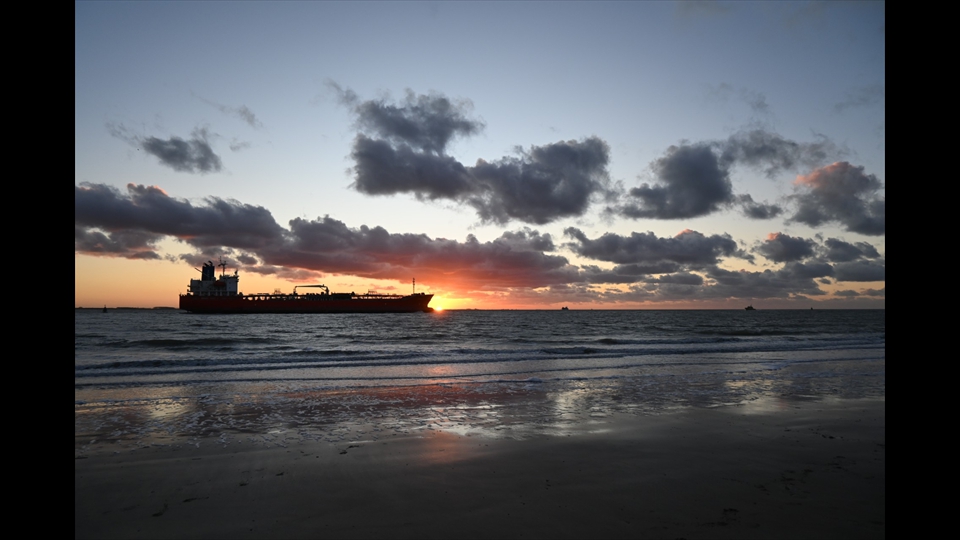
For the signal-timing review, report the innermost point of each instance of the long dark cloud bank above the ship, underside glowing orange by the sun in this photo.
(250, 235)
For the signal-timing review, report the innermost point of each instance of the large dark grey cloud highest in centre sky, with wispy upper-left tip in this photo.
(402, 149)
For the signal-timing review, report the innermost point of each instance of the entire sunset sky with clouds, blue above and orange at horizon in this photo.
(505, 155)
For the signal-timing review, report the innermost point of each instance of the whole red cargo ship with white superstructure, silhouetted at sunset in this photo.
(212, 294)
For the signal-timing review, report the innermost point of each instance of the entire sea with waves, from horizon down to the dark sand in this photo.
(147, 377)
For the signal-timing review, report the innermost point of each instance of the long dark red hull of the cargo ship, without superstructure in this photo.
(304, 304)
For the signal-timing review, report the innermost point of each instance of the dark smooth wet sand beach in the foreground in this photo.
(800, 470)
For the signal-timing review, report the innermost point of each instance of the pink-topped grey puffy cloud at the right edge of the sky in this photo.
(842, 193)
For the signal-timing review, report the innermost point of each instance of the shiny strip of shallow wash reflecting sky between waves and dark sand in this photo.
(258, 413)
